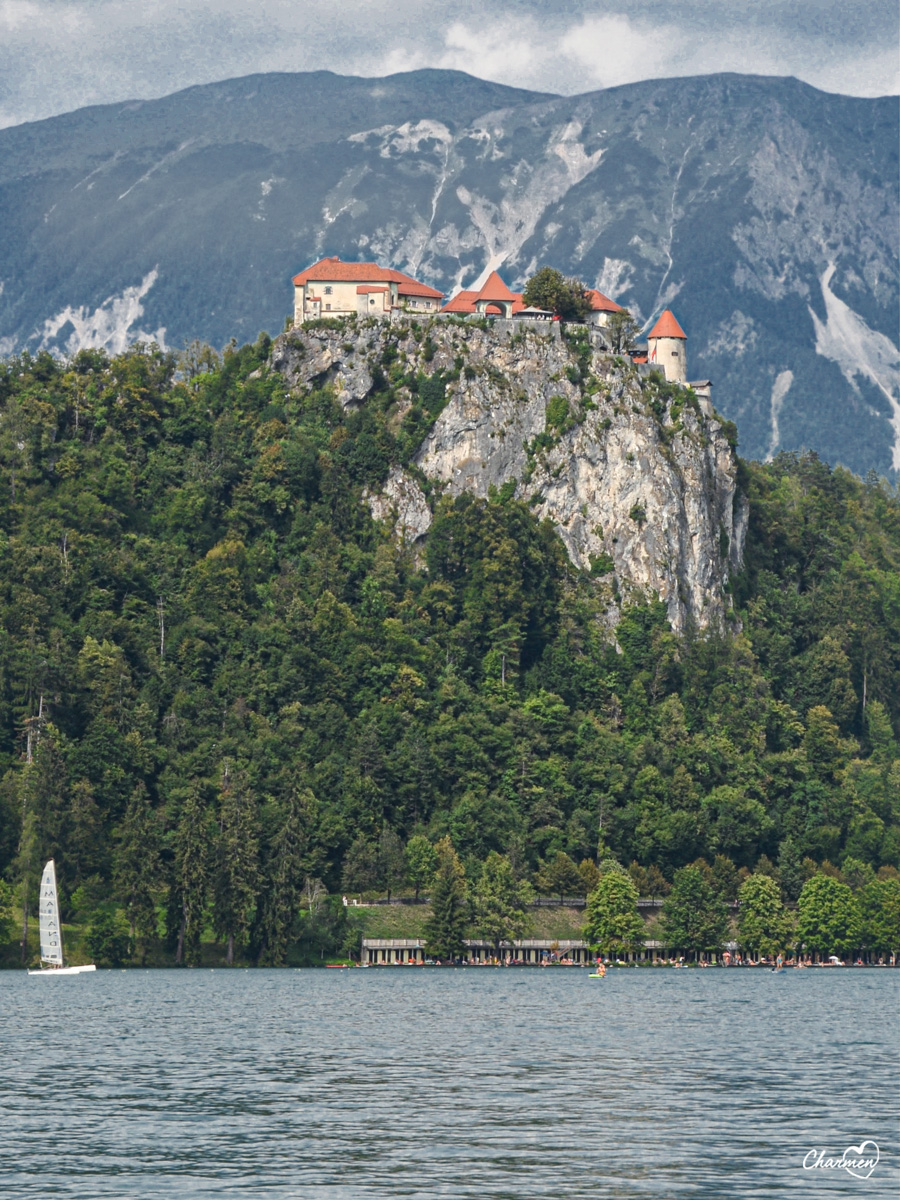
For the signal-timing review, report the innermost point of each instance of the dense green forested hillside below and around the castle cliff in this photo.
(223, 682)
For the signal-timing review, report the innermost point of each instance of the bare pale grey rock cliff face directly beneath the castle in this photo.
(639, 478)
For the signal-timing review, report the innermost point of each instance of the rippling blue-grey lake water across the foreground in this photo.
(440, 1083)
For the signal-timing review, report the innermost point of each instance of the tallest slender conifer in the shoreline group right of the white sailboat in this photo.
(237, 885)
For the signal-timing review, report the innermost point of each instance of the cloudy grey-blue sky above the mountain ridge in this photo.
(62, 55)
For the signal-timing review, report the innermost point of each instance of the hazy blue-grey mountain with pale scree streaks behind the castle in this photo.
(764, 211)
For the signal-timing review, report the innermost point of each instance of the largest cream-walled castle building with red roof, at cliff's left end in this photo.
(340, 290)
